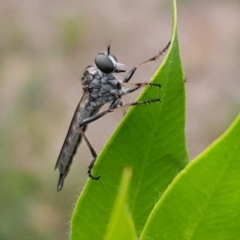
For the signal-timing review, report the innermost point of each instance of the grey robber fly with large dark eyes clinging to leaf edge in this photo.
(100, 85)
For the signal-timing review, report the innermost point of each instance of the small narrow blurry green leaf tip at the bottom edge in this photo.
(121, 224)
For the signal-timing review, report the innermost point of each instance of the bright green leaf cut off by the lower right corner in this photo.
(203, 202)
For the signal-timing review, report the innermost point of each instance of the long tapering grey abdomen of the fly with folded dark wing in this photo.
(71, 143)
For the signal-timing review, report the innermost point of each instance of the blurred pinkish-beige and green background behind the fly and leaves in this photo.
(44, 47)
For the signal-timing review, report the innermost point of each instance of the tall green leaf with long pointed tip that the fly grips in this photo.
(151, 141)
